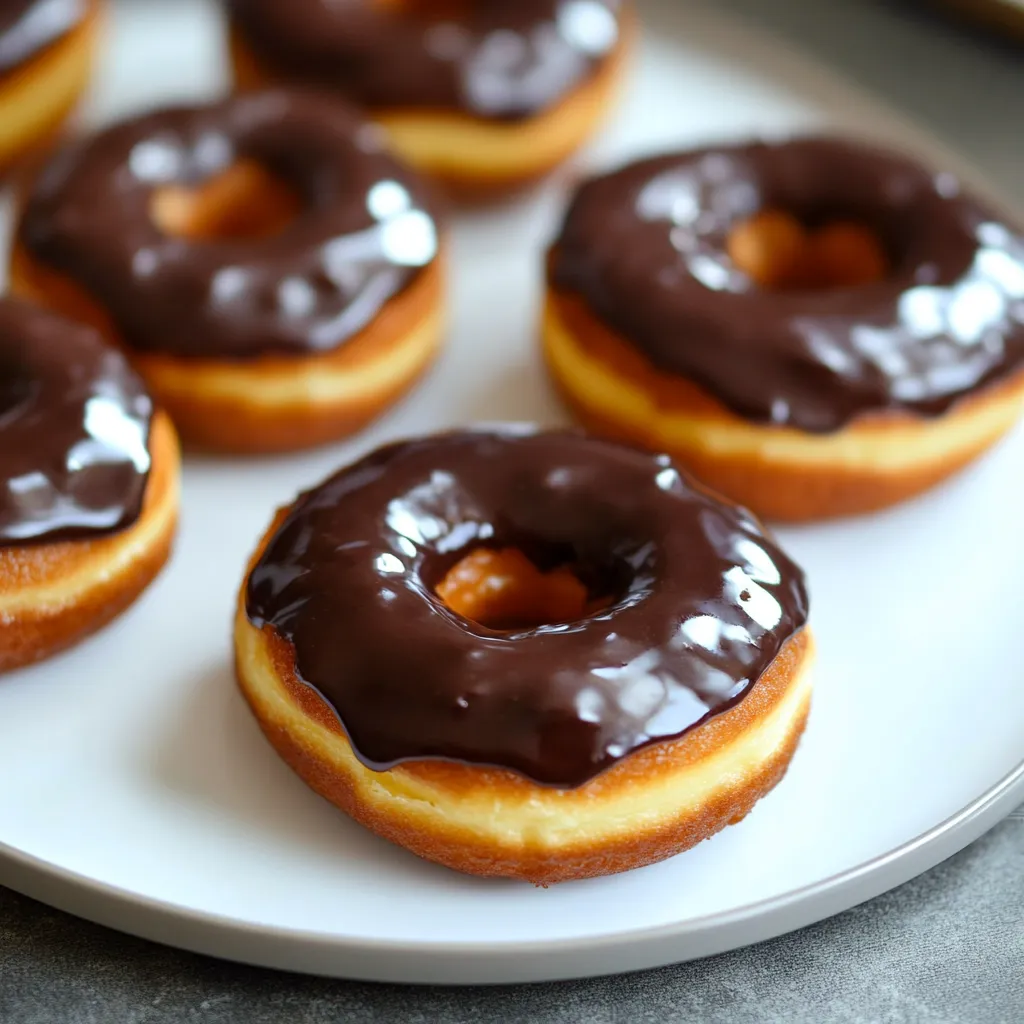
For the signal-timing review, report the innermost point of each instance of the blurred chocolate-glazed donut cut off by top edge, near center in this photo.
(486, 96)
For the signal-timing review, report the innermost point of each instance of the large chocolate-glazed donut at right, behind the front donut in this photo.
(815, 328)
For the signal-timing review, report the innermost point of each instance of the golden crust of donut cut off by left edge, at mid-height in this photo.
(55, 594)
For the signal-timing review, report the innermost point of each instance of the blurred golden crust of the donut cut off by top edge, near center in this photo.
(474, 158)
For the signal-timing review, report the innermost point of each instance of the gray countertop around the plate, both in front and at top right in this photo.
(947, 948)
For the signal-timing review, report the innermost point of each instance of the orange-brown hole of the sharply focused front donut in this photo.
(504, 589)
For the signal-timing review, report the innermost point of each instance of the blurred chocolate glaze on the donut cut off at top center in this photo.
(500, 59)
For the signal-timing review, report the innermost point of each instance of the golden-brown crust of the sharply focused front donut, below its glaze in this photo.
(657, 802)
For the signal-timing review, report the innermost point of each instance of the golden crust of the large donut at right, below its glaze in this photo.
(784, 475)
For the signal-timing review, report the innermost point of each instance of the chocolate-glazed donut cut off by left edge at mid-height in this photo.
(89, 485)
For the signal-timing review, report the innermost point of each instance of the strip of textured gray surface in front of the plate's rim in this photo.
(947, 948)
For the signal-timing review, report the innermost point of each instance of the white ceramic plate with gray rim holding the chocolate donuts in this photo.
(139, 791)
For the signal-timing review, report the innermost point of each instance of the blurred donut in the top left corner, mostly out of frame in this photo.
(47, 56)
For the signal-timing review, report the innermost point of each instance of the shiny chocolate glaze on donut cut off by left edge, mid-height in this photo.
(74, 432)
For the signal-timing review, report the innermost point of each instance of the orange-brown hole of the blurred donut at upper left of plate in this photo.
(245, 202)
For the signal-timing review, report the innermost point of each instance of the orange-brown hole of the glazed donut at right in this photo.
(782, 253)
